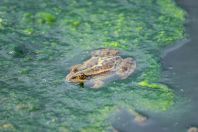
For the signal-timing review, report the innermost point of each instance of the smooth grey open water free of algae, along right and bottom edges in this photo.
(180, 72)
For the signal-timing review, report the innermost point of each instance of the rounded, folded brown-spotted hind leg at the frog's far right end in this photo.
(126, 68)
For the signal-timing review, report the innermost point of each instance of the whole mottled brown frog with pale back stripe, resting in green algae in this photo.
(104, 65)
